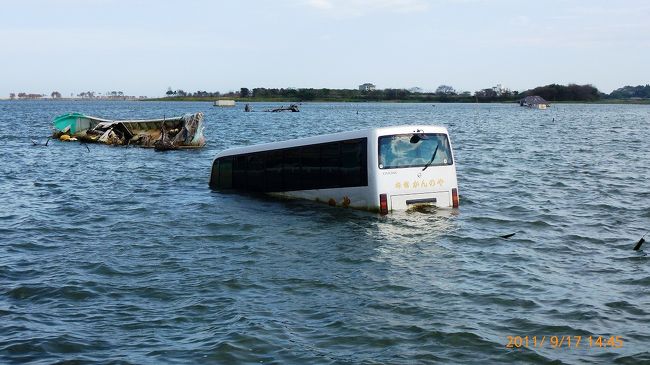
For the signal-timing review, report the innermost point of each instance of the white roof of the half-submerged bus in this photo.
(324, 138)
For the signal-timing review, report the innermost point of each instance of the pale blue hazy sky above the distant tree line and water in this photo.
(143, 47)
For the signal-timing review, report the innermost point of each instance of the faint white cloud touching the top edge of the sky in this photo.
(355, 8)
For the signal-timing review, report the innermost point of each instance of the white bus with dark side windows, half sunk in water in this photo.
(379, 169)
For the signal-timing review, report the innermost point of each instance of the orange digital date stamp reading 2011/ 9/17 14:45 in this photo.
(567, 342)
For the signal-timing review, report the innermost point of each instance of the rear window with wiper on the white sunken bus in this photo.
(414, 150)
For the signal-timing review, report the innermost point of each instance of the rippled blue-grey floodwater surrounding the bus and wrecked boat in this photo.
(125, 254)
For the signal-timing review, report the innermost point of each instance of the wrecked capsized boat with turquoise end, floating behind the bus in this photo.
(163, 134)
